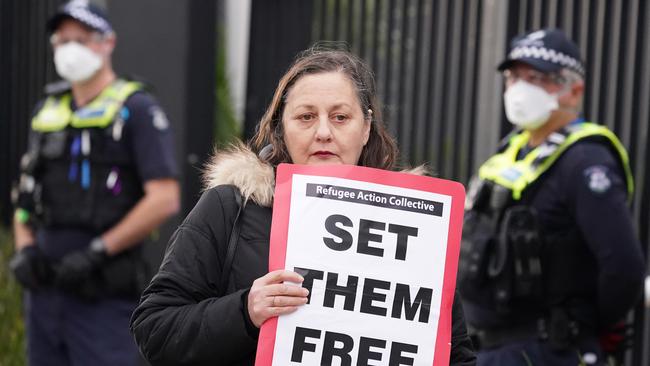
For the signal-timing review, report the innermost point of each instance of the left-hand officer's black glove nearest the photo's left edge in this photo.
(31, 268)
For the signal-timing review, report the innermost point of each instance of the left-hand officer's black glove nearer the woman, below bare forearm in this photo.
(77, 268)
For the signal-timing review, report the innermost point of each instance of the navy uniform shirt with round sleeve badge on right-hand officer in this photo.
(583, 198)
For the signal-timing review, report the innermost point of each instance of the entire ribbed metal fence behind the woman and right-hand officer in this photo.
(435, 64)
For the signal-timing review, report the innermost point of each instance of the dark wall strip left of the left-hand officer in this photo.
(25, 67)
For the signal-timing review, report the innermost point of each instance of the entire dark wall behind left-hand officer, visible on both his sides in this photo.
(169, 44)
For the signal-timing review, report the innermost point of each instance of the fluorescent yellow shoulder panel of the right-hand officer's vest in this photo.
(504, 169)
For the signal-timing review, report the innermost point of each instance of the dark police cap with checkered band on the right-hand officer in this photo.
(547, 50)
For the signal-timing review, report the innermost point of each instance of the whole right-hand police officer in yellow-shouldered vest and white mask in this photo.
(549, 258)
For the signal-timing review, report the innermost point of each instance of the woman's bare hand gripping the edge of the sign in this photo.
(269, 296)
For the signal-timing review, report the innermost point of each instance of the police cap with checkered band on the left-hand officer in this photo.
(80, 10)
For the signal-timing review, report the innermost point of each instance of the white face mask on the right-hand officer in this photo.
(527, 105)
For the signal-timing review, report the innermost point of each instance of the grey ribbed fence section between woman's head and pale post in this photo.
(425, 55)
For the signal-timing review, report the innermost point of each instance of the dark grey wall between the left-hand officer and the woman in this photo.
(171, 44)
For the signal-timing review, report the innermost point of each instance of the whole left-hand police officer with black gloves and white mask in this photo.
(98, 178)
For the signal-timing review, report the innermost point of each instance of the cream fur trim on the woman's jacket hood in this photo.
(239, 166)
